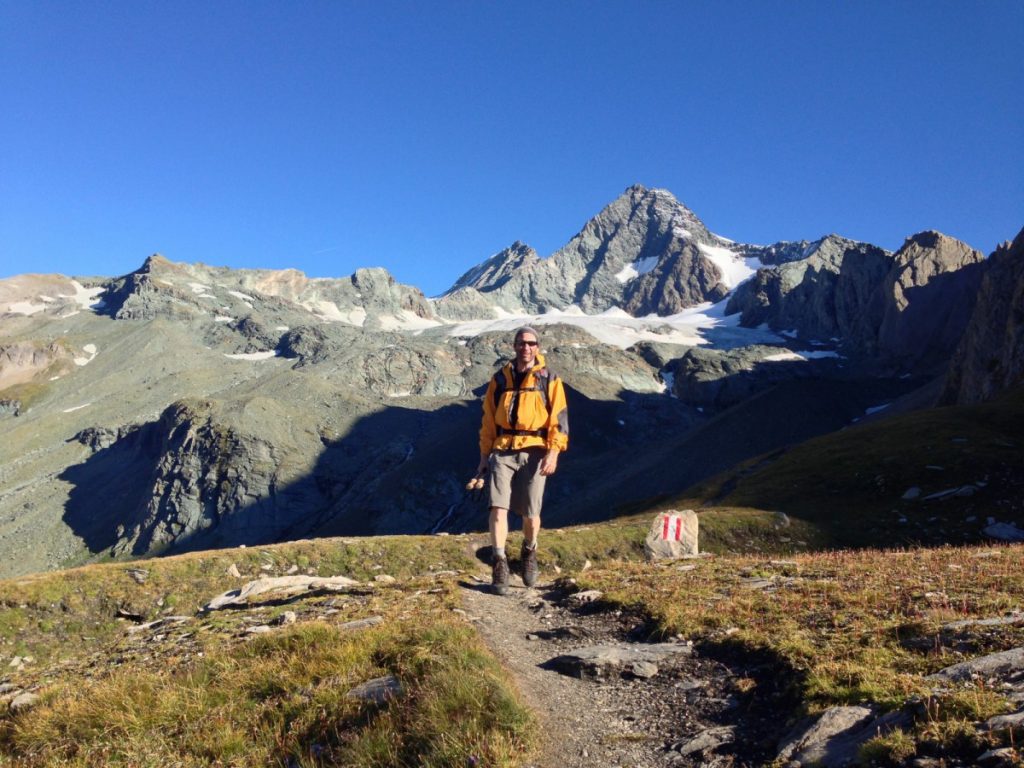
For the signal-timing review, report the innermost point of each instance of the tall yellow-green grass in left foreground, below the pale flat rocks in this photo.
(281, 700)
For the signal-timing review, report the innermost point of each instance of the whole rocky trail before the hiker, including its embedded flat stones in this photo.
(605, 696)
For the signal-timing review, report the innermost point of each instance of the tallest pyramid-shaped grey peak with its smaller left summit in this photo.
(643, 253)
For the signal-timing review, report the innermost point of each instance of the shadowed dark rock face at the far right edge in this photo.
(991, 357)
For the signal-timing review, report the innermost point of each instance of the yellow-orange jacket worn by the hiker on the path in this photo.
(542, 418)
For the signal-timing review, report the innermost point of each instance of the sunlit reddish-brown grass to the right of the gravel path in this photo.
(847, 628)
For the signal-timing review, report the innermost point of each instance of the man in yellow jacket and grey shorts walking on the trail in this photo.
(525, 428)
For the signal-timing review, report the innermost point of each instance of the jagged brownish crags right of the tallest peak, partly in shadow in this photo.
(906, 311)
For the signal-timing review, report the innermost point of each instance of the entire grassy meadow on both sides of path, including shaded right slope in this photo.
(820, 577)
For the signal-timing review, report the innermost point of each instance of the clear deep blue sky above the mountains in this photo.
(425, 137)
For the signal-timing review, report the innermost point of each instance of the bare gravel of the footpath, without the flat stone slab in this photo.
(616, 721)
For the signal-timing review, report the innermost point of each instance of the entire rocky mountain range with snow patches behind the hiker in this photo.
(241, 406)
